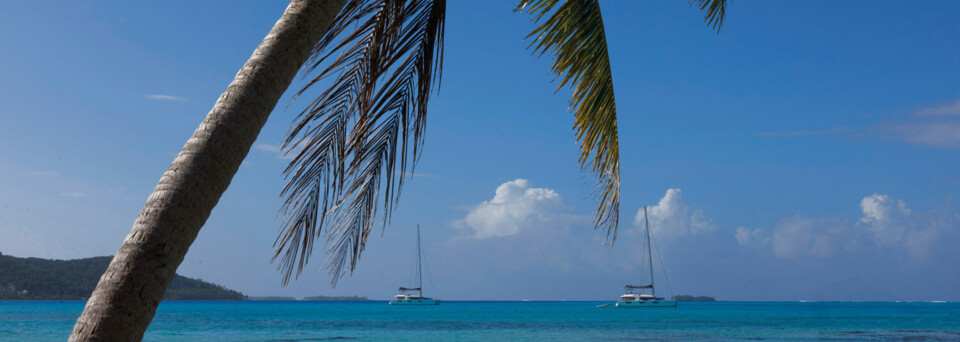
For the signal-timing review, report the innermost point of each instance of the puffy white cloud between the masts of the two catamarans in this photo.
(514, 206)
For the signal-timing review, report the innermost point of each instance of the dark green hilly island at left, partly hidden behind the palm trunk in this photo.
(44, 279)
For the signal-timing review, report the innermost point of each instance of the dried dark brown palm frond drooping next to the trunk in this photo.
(384, 59)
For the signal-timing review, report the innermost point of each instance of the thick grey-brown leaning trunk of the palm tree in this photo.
(126, 298)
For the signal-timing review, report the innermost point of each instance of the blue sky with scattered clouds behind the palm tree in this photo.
(809, 151)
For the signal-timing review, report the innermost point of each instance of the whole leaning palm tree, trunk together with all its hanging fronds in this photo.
(386, 57)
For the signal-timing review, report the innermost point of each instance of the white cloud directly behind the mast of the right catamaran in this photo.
(673, 218)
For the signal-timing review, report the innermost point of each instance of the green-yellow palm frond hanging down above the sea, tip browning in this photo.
(574, 34)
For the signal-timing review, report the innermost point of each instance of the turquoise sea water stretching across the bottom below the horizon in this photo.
(506, 321)
